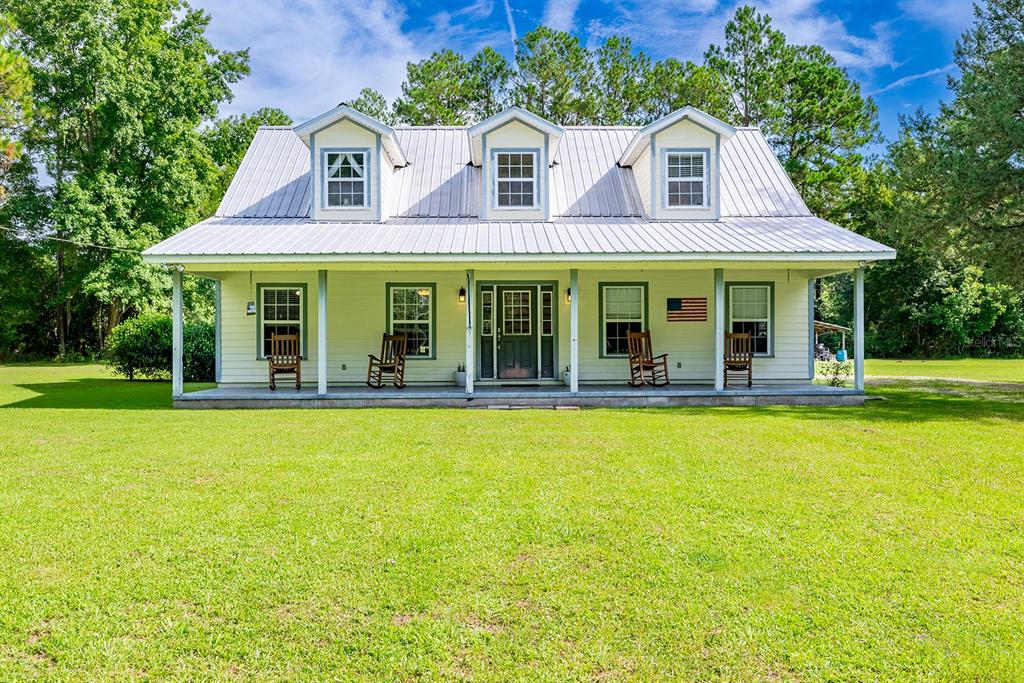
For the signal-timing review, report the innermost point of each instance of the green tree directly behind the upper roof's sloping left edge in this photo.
(227, 141)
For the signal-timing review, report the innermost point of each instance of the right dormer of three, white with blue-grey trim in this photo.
(676, 163)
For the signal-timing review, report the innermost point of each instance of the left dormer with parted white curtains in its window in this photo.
(353, 159)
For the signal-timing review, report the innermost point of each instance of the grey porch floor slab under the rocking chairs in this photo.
(539, 396)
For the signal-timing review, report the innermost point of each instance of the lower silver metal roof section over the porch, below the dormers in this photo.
(572, 238)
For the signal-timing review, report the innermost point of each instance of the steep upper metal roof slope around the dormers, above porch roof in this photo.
(440, 181)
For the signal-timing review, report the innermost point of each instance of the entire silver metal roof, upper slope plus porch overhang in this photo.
(596, 209)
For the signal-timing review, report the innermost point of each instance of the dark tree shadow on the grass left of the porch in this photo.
(101, 395)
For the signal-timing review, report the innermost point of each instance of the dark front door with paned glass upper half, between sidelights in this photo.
(517, 333)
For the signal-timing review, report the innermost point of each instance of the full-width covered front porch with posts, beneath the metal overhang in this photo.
(562, 328)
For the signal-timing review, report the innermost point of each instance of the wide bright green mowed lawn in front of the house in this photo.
(876, 543)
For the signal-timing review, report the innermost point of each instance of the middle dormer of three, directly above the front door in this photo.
(515, 150)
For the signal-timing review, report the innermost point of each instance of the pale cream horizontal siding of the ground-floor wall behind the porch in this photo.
(358, 310)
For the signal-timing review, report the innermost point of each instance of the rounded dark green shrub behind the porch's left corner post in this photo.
(143, 347)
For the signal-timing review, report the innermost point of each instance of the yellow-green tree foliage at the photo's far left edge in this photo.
(16, 102)
